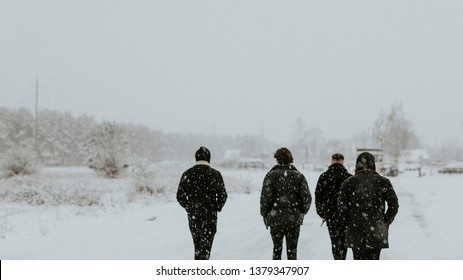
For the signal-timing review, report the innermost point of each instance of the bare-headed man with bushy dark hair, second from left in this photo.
(284, 200)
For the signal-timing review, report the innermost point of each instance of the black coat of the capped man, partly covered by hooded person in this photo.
(327, 190)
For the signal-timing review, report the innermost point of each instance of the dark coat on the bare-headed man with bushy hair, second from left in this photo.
(285, 196)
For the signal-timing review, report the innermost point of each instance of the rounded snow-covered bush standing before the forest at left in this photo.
(107, 149)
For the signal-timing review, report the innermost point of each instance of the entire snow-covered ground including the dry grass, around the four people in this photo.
(72, 214)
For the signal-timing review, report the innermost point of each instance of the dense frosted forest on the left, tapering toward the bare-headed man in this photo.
(61, 139)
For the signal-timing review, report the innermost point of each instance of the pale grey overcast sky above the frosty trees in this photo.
(238, 67)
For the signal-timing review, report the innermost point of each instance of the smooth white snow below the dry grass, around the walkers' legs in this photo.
(428, 226)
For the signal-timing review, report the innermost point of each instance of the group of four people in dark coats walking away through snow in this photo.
(358, 209)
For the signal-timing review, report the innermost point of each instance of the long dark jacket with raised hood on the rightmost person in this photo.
(362, 206)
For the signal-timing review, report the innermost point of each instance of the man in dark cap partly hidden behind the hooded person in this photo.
(326, 203)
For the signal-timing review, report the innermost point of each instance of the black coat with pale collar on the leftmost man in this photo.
(201, 192)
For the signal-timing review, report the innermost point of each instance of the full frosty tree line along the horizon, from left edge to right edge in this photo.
(61, 139)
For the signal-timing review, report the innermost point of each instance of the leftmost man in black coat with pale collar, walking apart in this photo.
(202, 193)
